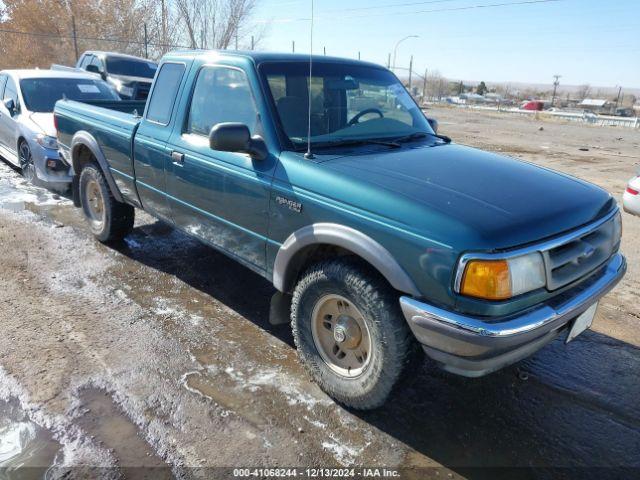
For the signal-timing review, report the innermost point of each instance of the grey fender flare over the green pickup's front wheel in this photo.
(287, 264)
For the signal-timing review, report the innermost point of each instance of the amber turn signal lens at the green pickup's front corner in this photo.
(487, 279)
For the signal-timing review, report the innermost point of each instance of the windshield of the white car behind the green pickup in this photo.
(41, 94)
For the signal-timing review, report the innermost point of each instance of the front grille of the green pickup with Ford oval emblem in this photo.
(581, 255)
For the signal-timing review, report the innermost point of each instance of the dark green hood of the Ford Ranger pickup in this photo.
(483, 199)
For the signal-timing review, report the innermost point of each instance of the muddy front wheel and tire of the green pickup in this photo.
(350, 332)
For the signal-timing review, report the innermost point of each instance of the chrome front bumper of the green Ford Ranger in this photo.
(473, 346)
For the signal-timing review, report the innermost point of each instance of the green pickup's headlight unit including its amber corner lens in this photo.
(502, 279)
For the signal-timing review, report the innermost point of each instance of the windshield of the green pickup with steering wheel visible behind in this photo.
(350, 103)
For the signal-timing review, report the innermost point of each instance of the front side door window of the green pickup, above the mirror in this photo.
(221, 95)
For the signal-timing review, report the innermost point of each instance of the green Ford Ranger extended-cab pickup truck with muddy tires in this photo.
(333, 185)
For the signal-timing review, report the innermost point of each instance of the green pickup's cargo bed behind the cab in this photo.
(113, 125)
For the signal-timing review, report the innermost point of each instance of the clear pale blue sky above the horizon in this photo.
(585, 41)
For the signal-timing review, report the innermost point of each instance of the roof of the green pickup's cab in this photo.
(260, 57)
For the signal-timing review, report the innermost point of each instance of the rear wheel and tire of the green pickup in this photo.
(109, 220)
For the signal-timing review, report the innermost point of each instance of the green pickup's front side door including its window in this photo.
(220, 197)
